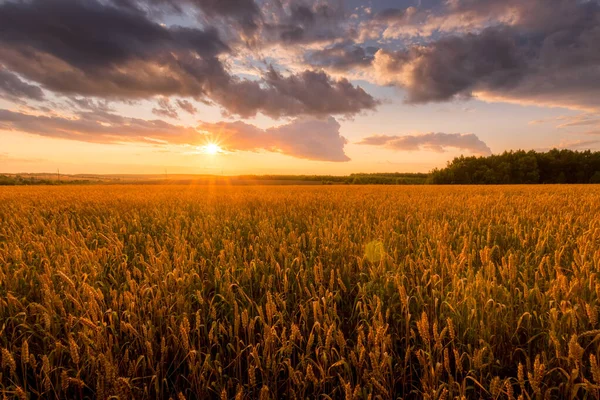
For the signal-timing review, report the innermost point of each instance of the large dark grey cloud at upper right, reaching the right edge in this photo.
(547, 54)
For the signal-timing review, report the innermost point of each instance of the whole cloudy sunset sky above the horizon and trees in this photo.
(292, 86)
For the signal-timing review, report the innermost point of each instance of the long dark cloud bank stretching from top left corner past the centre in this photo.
(74, 53)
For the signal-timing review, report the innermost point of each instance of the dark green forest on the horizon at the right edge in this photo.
(522, 167)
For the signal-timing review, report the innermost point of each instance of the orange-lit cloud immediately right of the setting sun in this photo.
(311, 139)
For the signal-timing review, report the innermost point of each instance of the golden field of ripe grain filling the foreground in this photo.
(185, 292)
